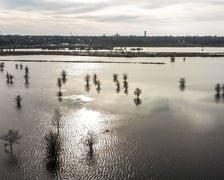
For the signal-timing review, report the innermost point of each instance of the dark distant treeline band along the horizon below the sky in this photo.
(46, 41)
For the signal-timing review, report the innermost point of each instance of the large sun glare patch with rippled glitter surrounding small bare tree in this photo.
(79, 127)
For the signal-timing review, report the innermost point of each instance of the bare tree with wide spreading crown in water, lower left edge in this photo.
(12, 137)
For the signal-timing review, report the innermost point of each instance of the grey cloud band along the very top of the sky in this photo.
(77, 7)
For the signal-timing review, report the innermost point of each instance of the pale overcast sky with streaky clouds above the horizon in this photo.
(126, 17)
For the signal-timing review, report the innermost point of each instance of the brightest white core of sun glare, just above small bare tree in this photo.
(79, 123)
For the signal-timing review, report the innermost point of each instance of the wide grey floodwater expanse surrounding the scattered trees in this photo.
(172, 134)
